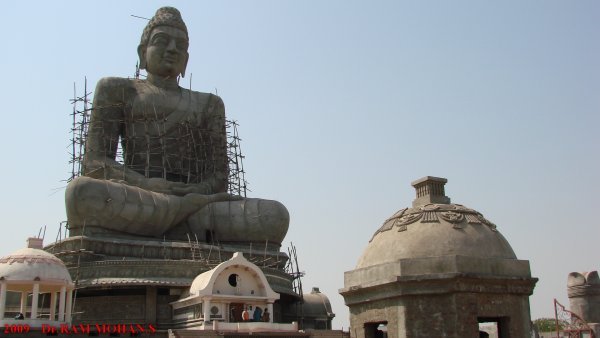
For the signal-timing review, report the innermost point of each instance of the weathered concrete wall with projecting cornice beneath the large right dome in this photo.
(448, 306)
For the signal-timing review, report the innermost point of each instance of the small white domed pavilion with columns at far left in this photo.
(32, 272)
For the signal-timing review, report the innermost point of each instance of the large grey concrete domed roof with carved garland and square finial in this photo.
(434, 227)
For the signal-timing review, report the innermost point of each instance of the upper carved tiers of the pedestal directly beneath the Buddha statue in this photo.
(101, 263)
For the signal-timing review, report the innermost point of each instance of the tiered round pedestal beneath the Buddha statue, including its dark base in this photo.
(132, 281)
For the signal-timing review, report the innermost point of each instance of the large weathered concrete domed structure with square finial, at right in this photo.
(437, 270)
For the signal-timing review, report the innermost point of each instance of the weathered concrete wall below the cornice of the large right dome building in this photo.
(443, 316)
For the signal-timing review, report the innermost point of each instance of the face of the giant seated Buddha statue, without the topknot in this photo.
(166, 53)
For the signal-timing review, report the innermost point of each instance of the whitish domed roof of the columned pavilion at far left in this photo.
(33, 264)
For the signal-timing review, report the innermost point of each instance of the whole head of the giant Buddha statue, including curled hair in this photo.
(163, 47)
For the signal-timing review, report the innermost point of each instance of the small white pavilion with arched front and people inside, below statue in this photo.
(218, 298)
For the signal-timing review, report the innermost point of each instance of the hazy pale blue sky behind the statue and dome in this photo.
(341, 105)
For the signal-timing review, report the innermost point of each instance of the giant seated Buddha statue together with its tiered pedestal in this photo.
(141, 231)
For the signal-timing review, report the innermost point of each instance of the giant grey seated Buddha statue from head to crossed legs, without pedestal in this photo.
(174, 176)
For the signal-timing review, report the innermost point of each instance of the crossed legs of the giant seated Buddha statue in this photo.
(121, 208)
